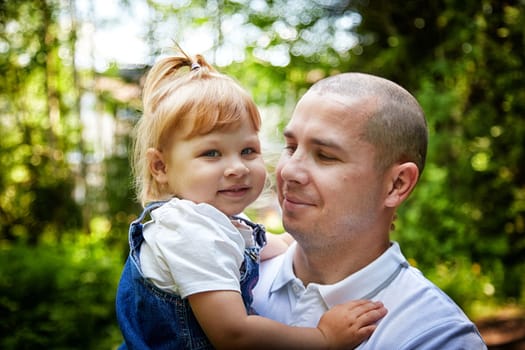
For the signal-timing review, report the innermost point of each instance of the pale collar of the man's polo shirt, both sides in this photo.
(363, 284)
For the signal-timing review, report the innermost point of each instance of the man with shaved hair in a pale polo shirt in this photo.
(355, 148)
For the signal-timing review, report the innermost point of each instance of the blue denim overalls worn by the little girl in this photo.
(151, 318)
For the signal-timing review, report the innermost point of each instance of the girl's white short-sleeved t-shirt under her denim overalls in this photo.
(190, 248)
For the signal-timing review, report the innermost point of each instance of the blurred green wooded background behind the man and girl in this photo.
(70, 75)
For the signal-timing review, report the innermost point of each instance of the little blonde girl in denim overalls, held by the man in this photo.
(188, 279)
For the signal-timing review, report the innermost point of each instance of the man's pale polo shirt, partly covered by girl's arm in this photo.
(420, 315)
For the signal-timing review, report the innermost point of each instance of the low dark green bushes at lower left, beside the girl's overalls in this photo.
(59, 296)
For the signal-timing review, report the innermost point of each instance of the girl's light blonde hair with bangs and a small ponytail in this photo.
(184, 93)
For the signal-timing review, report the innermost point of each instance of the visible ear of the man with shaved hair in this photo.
(402, 180)
